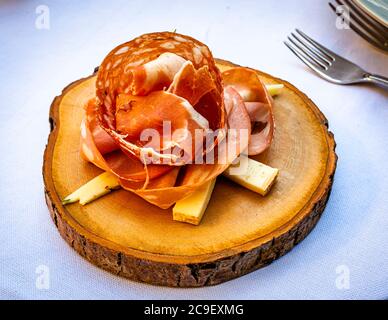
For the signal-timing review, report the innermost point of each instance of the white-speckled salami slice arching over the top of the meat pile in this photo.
(115, 72)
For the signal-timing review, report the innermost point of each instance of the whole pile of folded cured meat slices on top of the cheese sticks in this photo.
(162, 110)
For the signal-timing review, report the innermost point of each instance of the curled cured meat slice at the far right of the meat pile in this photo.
(258, 104)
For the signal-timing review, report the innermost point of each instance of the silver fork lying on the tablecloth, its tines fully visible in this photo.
(328, 64)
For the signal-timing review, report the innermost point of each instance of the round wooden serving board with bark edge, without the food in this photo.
(241, 230)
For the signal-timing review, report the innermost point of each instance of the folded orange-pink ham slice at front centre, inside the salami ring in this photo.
(168, 120)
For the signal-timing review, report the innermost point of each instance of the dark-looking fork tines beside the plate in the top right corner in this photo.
(361, 23)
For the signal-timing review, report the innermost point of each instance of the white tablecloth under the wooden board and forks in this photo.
(346, 255)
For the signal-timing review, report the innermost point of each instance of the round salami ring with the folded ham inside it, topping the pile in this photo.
(144, 67)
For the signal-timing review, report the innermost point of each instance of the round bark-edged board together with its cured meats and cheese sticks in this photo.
(240, 173)
